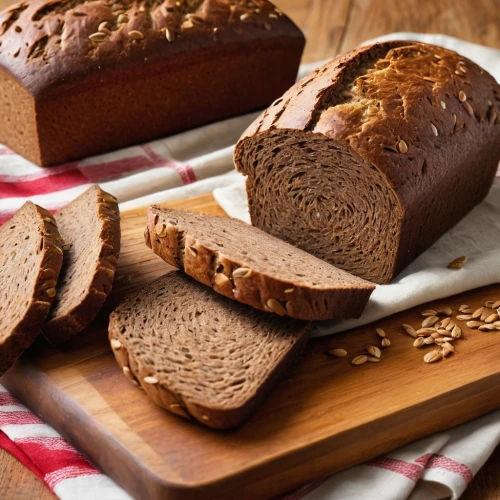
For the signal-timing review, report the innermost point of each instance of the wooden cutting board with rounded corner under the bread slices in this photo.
(325, 416)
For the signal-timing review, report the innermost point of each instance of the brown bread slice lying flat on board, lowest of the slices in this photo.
(199, 354)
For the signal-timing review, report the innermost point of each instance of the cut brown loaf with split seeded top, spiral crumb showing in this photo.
(371, 158)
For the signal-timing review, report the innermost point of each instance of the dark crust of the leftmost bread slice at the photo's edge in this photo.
(25, 332)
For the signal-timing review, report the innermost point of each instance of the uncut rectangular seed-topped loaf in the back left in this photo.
(92, 76)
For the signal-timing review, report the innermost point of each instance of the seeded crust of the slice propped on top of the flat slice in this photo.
(305, 302)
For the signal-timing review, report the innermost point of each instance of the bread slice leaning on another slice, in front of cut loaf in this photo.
(246, 264)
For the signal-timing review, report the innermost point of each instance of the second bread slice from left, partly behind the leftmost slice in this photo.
(90, 228)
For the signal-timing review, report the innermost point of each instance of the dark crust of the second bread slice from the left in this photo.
(61, 328)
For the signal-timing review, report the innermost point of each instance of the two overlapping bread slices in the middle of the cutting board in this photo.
(210, 342)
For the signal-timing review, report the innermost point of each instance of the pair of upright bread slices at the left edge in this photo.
(56, 270)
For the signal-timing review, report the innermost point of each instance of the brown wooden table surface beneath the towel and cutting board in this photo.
(331, 27)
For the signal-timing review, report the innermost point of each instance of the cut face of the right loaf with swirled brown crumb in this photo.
(322, 197)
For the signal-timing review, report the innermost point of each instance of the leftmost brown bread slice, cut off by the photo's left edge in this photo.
(30, 261)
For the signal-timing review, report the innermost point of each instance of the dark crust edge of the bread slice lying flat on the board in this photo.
(175, 403)
